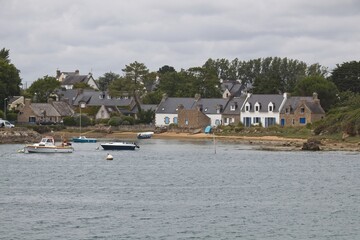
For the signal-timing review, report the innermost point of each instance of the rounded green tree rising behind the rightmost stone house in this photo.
(326, 90)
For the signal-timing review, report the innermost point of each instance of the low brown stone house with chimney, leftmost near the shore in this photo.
(51, 112)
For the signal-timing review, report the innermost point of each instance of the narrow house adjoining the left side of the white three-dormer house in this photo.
(231, 113)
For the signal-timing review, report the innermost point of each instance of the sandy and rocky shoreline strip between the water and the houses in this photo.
(270, 143)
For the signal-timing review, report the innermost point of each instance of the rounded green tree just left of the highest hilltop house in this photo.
(42, 88)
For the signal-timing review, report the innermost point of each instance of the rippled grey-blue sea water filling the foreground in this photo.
(171, 189)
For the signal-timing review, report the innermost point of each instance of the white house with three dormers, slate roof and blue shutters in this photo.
(262, 109)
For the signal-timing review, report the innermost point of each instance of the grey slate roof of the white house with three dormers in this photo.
(264, 100)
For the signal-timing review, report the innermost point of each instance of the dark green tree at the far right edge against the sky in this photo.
(347, 76)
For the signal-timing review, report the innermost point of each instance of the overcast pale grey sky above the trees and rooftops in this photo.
(101, 36)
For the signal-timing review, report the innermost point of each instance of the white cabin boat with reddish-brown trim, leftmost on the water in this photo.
(47, 145)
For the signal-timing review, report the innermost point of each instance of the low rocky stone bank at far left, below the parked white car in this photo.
(18, 135)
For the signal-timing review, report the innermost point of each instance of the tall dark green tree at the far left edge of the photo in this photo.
(10, 80)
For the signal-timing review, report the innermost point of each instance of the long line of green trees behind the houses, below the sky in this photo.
(270, 75)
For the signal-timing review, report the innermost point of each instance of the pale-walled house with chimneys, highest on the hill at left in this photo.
(69, 79)
